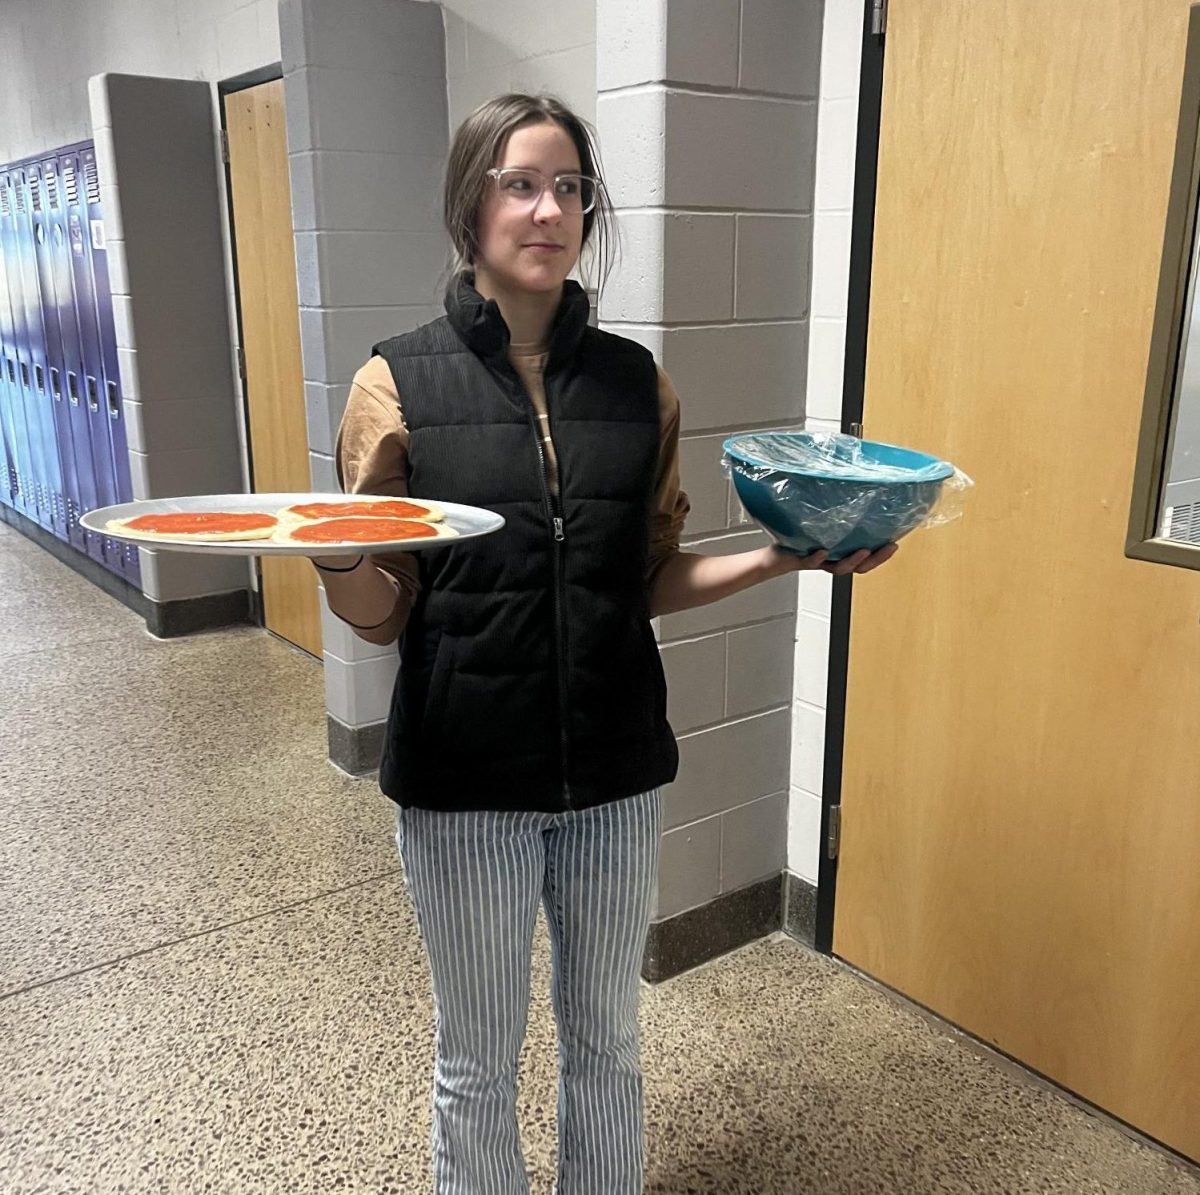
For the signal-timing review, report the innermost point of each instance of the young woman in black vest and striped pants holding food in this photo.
(529, 738)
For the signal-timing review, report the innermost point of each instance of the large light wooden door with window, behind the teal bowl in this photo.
(1022, 789)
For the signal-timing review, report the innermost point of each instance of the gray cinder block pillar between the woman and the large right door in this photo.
(707, 119)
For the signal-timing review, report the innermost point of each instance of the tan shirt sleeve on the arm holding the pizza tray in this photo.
(373, 459)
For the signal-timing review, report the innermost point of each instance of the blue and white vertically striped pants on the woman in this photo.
(476, 880)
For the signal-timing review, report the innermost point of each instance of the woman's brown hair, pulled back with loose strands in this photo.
(477, 148)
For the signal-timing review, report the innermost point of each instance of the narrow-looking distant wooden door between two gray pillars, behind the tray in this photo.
(271, 323)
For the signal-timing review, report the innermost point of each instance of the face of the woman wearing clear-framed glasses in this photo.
(531, 245)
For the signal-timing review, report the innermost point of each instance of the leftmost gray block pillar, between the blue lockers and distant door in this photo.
(163, 217)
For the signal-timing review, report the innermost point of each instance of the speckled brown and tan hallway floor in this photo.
(212, 980)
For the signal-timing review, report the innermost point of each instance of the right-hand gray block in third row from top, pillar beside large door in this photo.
(775, 255)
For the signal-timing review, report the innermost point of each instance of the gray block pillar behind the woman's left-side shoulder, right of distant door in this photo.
(368, 135)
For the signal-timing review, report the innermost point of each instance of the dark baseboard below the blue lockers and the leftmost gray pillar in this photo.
(164, 620)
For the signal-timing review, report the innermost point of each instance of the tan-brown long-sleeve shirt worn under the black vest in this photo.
(373, 458)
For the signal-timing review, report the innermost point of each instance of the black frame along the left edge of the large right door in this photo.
(862, 241)
